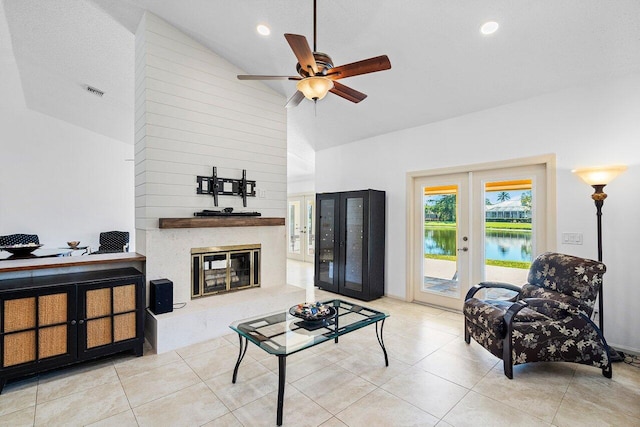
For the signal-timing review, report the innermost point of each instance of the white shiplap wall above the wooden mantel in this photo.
(191, 114)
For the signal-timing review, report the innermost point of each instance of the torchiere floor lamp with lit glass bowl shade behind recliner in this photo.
(598, 178)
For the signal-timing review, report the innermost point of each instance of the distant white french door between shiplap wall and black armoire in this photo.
(301, 228)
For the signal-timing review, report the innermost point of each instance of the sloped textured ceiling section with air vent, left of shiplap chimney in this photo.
(60, 47)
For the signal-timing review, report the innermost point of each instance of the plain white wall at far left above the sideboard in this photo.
(57, 180)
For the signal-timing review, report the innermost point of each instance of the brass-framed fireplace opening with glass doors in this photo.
(222, 269)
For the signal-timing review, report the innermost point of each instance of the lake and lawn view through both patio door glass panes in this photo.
(507, 235)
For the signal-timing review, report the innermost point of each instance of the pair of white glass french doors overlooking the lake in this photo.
(476, 226)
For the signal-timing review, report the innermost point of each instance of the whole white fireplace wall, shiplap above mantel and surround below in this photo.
(192, 114)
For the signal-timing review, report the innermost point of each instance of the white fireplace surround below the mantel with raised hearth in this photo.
(168, 253)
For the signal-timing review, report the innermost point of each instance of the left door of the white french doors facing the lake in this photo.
(443, 214)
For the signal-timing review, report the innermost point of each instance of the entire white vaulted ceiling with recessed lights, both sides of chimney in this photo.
(442, 66)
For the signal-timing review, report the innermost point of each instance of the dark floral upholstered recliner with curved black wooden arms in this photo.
(549, 319)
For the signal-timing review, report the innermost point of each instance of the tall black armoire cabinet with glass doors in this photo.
(350, 228)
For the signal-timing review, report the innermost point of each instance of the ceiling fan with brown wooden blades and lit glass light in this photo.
(317, 75)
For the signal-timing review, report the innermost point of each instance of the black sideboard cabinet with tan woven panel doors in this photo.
(51, 321)
